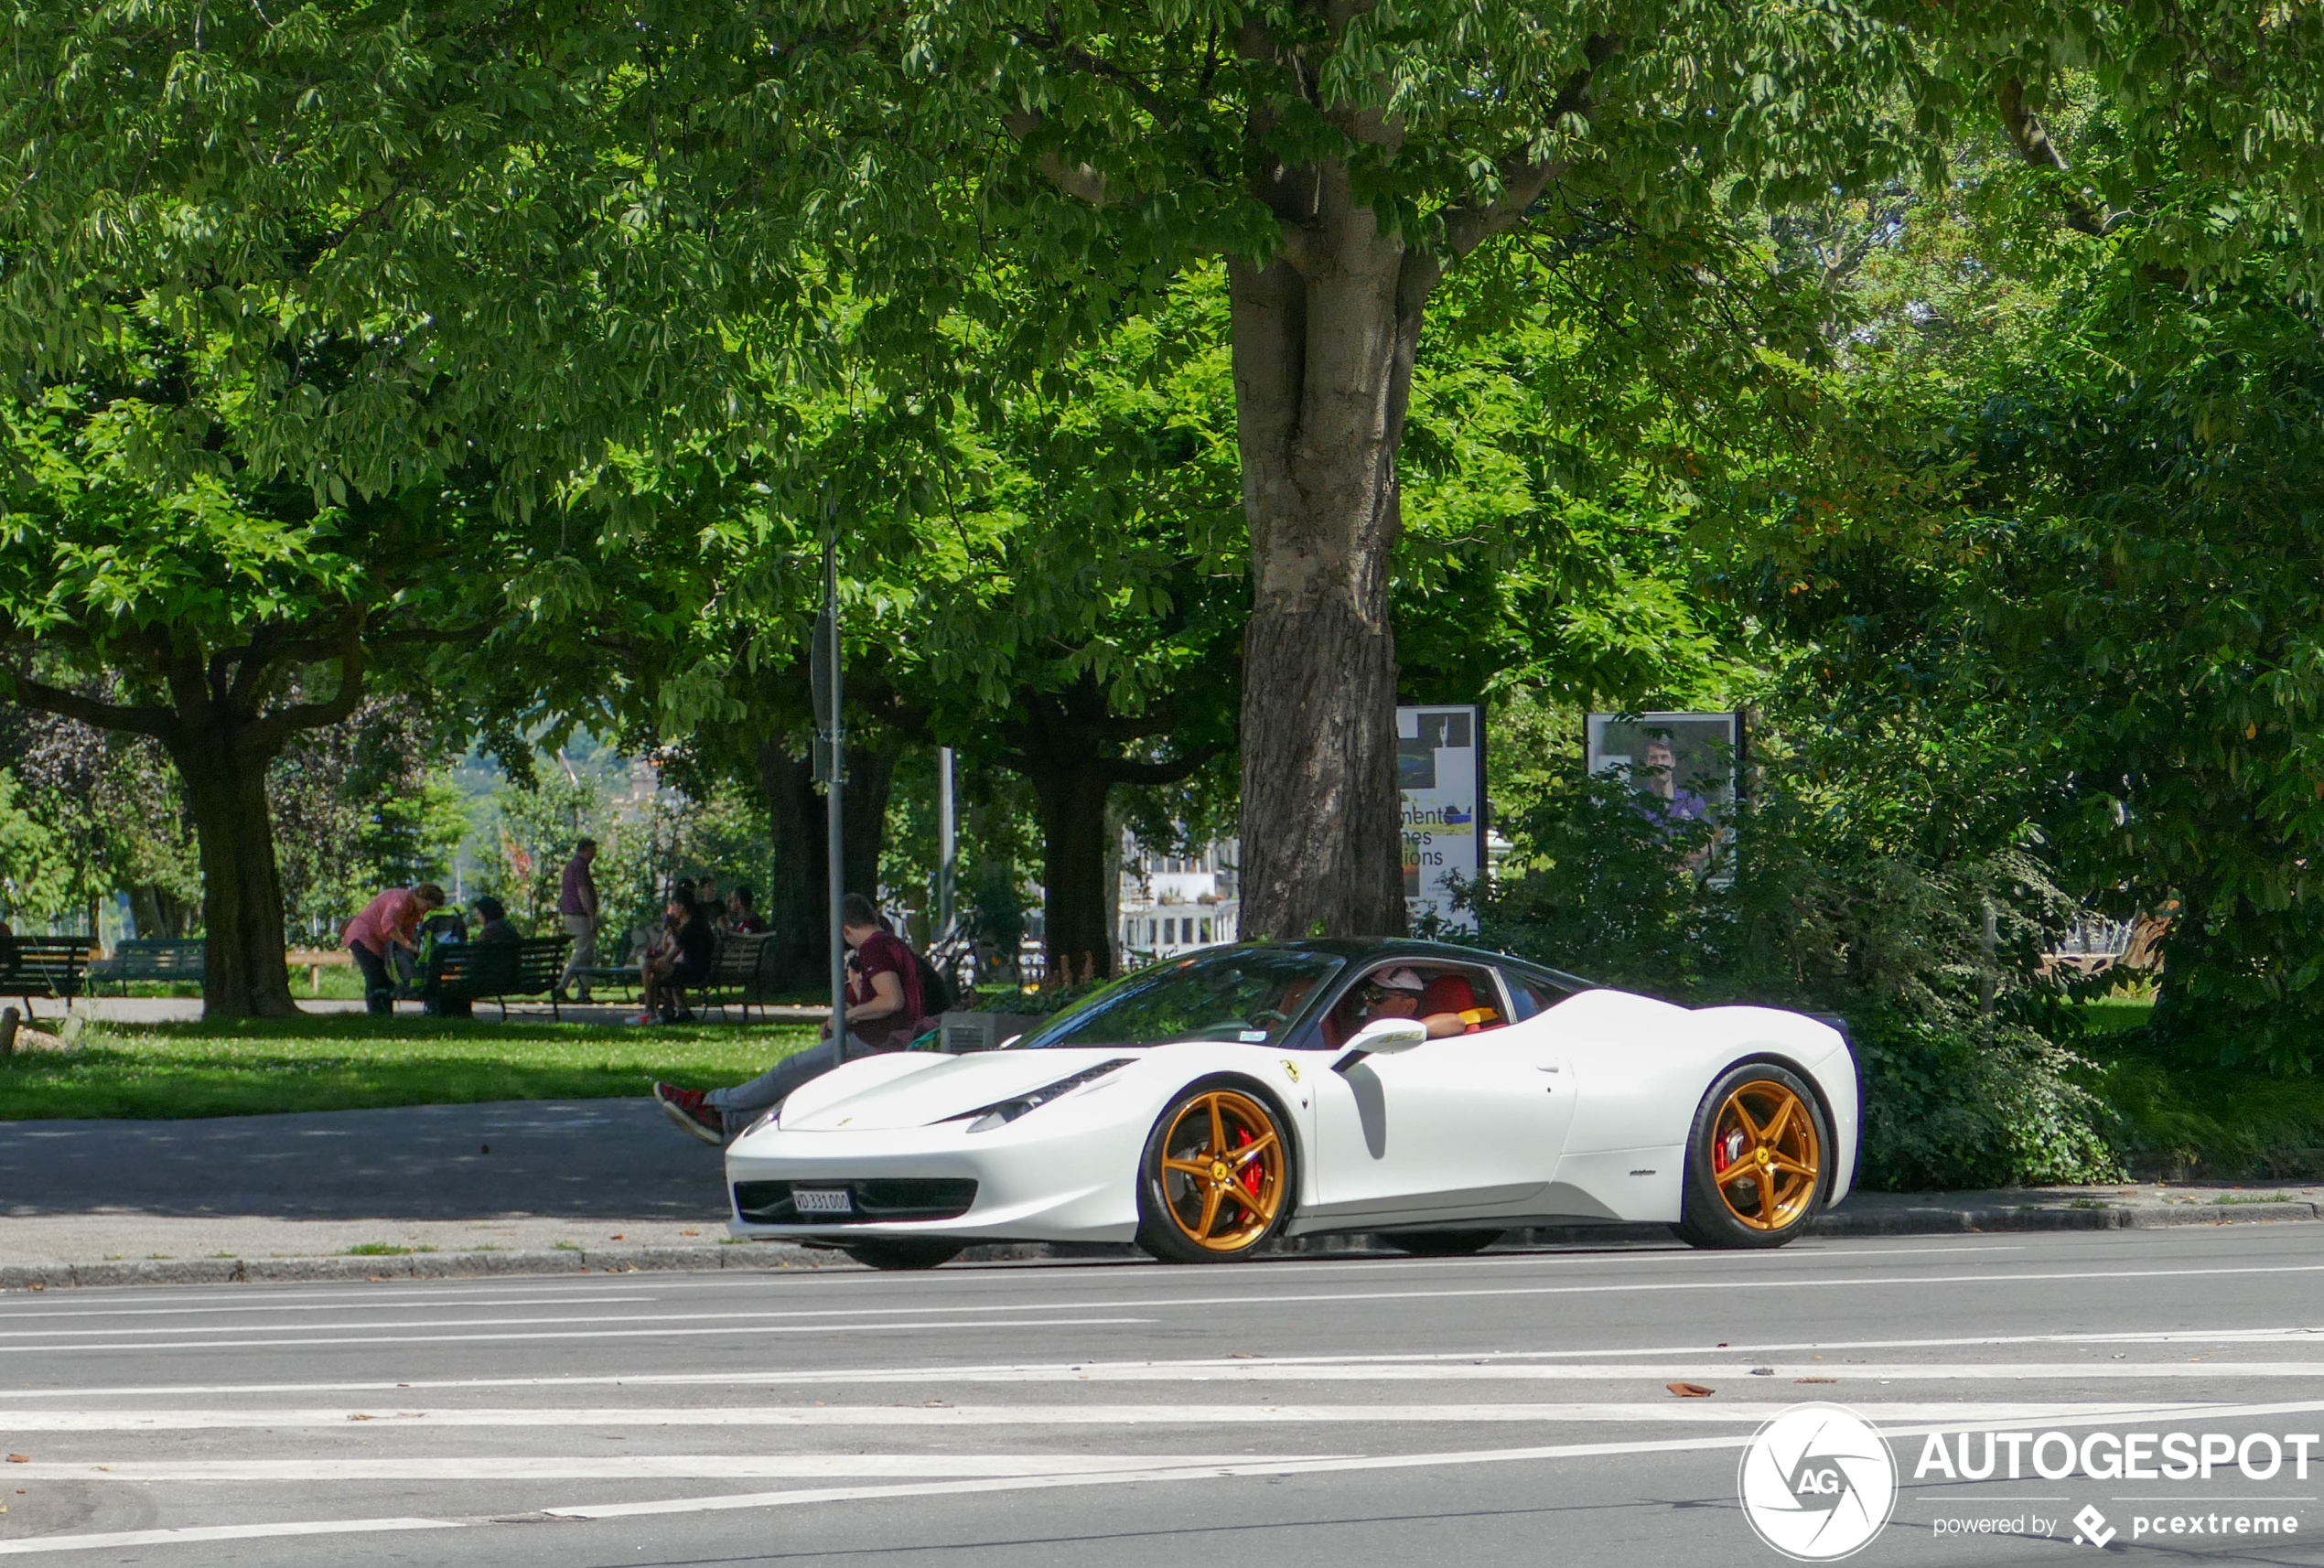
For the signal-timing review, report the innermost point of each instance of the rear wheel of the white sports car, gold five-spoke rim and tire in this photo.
(1726, 1204)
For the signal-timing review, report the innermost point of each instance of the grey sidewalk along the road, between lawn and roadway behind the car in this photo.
(608, 1184)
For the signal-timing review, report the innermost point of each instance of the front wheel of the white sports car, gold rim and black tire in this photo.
(1217, 1177)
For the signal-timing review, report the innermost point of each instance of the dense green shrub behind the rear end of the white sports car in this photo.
(1932, 965)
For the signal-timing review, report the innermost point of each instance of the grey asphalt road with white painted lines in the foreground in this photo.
(1505, 1409)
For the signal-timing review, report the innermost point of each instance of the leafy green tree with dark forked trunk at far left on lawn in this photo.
(222, 621)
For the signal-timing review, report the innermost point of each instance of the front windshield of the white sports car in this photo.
(1247, 995)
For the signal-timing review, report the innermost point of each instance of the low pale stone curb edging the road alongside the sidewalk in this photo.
(775, 1256)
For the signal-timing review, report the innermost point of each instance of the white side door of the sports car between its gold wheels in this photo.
(1463, 1125)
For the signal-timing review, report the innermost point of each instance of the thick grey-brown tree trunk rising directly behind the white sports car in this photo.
(1324, 364)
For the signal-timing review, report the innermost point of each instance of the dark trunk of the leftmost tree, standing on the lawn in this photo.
(245, 972)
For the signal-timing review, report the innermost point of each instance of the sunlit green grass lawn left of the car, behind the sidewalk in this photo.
(354, 1063)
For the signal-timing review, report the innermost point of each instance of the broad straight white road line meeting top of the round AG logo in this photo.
(371, 1423)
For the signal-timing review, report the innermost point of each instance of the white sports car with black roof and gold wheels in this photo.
(1433, 1095)
